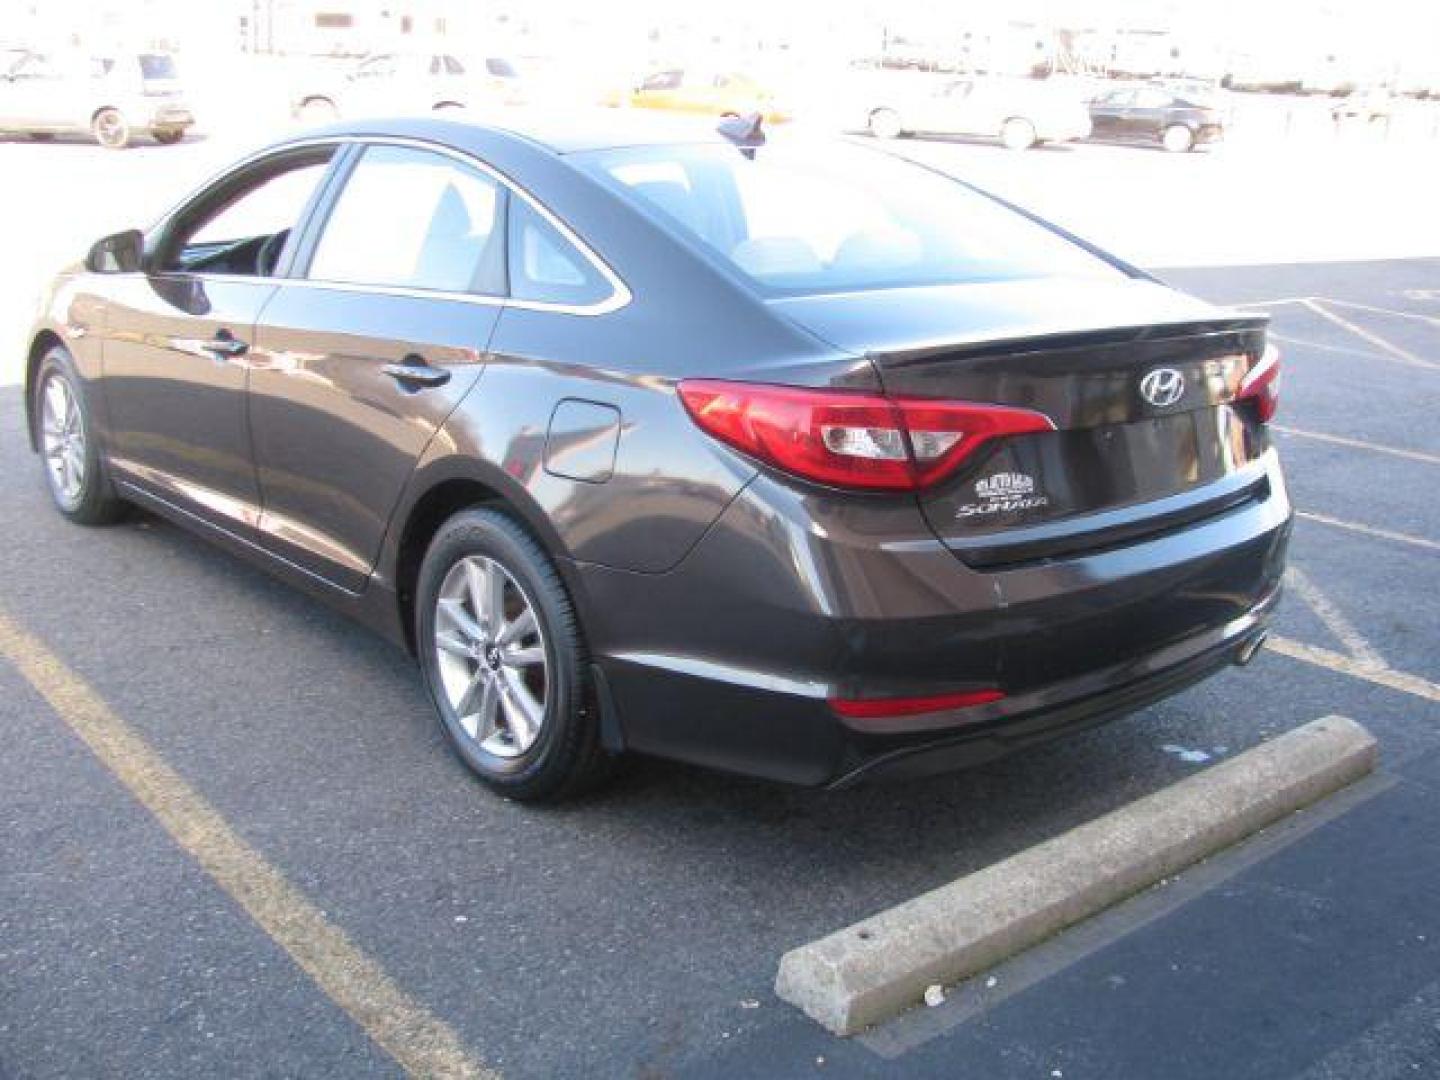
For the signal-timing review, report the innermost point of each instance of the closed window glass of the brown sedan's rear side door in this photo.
(415, 220)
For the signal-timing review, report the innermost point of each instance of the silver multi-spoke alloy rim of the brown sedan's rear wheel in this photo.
(492, 657)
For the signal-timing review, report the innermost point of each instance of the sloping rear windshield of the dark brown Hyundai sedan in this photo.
(832, 218)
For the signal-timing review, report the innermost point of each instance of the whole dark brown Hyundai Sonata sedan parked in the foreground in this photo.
(797, 460)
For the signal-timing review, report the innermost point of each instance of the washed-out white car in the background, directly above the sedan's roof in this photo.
(400, 84)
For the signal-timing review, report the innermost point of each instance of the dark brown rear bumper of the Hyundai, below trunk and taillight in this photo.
(729, 662)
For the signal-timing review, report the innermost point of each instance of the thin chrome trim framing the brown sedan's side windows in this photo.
(620, 292)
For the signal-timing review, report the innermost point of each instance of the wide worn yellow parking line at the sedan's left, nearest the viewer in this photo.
(423, 1045)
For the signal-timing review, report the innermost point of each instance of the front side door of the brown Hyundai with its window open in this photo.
(178, 342)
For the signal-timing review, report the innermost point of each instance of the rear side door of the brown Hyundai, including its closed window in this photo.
(369, 346)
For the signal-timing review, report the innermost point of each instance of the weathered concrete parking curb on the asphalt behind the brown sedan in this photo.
(879, 967)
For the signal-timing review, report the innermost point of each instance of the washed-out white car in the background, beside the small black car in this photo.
(1020, 113)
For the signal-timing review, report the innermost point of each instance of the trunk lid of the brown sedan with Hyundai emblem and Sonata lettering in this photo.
(1140, 384)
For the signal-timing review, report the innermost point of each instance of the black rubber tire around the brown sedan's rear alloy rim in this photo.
(567, 757)
